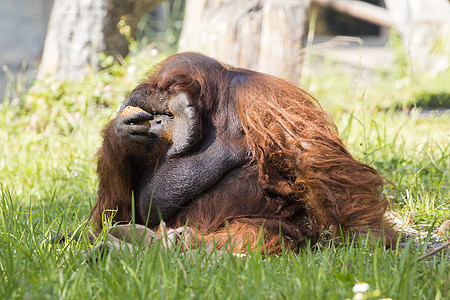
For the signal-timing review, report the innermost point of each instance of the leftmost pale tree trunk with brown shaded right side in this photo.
(80, 29)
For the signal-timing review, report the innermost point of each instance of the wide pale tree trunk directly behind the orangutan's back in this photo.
(261, 35)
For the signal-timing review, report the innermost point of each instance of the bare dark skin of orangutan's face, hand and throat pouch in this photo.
(180, 160)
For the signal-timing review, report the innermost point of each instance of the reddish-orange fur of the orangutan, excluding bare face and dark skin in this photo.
(302, 180)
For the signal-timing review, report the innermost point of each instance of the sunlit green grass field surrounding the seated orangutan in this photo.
(48, 140)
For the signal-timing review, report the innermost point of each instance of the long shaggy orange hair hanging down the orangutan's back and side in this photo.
(299, 153)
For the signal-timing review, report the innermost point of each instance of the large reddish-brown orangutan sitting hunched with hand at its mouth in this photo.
(230, 151)
